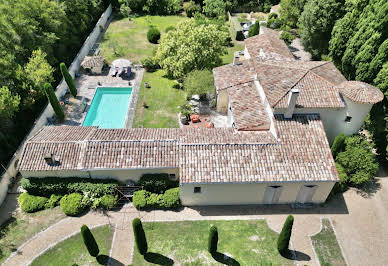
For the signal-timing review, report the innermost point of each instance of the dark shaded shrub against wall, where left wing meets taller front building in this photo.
(156, 183)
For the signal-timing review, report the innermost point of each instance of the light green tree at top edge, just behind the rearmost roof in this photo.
(290, 11)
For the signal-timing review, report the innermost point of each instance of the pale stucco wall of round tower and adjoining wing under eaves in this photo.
(334, 118)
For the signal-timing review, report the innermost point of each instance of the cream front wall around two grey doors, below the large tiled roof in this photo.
(248, 193)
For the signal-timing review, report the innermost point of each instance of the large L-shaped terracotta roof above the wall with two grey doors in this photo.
(302, 154)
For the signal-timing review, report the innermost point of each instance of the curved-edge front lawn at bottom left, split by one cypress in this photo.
(73, 251)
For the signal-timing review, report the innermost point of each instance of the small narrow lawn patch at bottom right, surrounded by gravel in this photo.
(326, 246)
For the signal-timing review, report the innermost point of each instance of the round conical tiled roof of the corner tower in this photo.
(361, 92)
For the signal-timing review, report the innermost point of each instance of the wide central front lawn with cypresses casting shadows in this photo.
(248, 242)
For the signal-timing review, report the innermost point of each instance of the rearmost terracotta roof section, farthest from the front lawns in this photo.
(268, 44)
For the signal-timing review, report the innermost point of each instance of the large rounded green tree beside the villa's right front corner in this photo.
(358, 160)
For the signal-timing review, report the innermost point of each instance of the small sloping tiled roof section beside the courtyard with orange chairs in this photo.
(248, 108)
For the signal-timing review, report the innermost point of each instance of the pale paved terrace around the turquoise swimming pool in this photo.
(87, 84)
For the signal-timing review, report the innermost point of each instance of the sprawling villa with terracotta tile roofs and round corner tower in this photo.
(282, 115)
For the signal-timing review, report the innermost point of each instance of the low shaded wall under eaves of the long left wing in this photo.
(121, 175)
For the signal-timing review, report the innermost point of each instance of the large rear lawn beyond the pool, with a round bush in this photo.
(129, 38)
